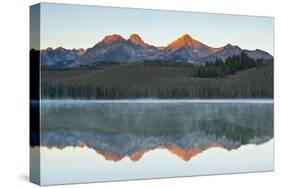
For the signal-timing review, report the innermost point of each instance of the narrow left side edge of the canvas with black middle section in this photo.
(34, 94)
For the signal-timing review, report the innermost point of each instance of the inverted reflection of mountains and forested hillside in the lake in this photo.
(117, 130)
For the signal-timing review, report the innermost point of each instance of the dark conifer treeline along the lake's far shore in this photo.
(59, 90)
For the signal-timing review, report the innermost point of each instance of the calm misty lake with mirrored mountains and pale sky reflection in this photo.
(89, 141)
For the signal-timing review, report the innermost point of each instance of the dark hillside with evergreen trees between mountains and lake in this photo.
(238, 76)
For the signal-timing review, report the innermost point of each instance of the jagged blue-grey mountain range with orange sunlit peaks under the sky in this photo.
(115, 48)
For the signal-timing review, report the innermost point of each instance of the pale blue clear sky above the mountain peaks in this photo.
(79, 26)
